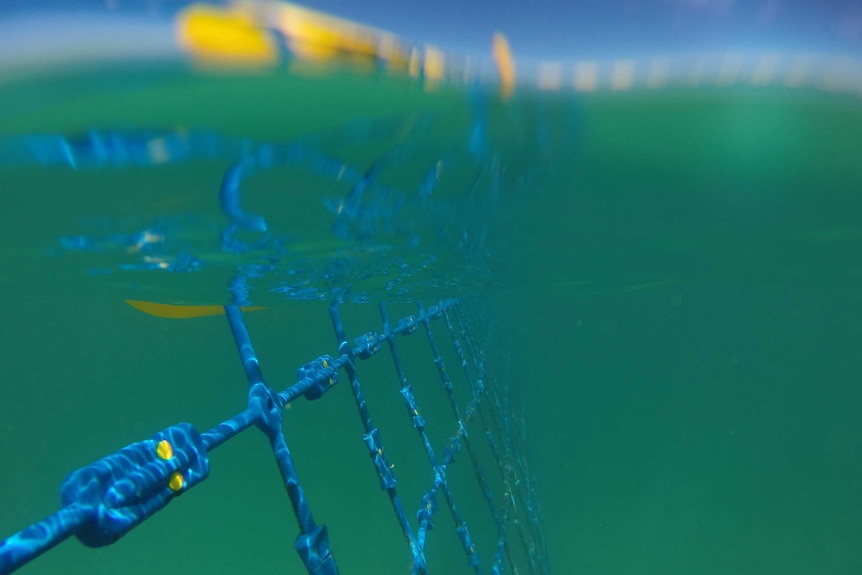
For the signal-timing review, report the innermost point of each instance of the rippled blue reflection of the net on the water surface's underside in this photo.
(415, 214)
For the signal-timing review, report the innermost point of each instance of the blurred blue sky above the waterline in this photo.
(567, 30)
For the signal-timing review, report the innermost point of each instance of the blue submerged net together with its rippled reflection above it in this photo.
(396, 210)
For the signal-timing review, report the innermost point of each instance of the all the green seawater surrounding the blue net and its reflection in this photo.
(674, 275)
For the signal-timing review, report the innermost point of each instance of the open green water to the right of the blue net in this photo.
(689, 332)
